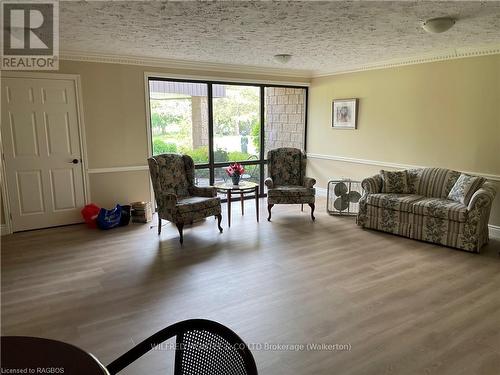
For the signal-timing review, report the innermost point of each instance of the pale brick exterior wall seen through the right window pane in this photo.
(285, 118)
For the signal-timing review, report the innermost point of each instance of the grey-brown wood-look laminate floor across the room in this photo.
(399, 306)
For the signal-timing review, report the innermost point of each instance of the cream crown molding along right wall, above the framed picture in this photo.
(452, 54)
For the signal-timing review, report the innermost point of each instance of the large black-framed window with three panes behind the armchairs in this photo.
(219, 123)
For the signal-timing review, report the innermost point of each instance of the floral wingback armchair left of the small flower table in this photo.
(179, 200)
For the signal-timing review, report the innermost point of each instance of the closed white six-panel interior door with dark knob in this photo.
(42, 153)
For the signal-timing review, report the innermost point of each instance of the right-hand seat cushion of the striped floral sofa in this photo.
(440, 208)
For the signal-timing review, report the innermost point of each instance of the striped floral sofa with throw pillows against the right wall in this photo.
(436, 205)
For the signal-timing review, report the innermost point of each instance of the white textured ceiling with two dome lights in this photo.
(321, 36)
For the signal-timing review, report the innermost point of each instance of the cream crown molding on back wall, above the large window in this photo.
(182, 64)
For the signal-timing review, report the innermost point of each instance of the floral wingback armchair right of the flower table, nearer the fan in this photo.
(287, 183)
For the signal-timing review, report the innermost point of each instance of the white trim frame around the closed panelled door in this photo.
(81, 132)
